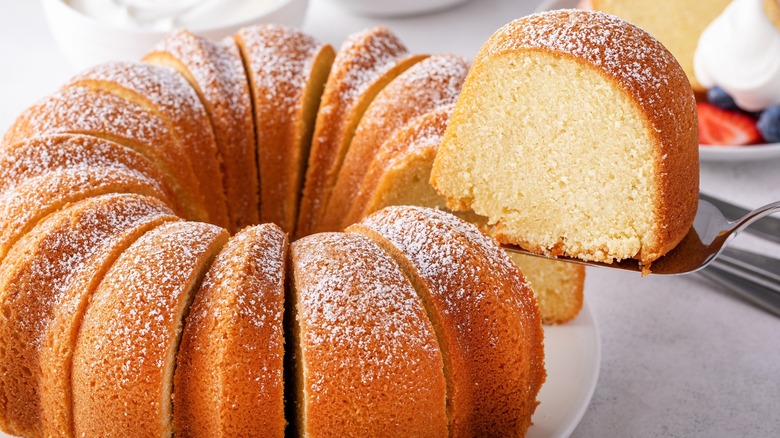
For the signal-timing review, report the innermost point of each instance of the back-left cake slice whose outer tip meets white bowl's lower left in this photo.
(164, 93)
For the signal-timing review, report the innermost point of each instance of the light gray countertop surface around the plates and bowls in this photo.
(680, 356)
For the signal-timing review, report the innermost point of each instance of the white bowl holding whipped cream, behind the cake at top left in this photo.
(87, 41)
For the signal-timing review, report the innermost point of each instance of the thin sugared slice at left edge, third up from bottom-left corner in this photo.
(36, 156)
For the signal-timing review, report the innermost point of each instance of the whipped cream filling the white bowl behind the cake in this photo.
(166, 15)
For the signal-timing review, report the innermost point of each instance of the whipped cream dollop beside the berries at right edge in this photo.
(740, 52)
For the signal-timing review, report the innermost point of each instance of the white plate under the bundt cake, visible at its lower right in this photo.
(573, 358)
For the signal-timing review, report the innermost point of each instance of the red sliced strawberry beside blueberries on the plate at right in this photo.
(721, 127)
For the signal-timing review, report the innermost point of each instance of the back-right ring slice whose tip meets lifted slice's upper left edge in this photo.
(429, 84)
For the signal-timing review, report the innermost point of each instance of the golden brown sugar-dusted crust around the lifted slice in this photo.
(636, 63)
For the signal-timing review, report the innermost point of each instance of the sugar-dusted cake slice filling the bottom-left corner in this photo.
(45, 282)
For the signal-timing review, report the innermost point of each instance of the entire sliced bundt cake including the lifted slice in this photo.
(122, 315)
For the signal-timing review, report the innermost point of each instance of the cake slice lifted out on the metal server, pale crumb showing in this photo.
(576, 135)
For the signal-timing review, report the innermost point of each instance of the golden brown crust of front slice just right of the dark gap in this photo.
(371, 364)
